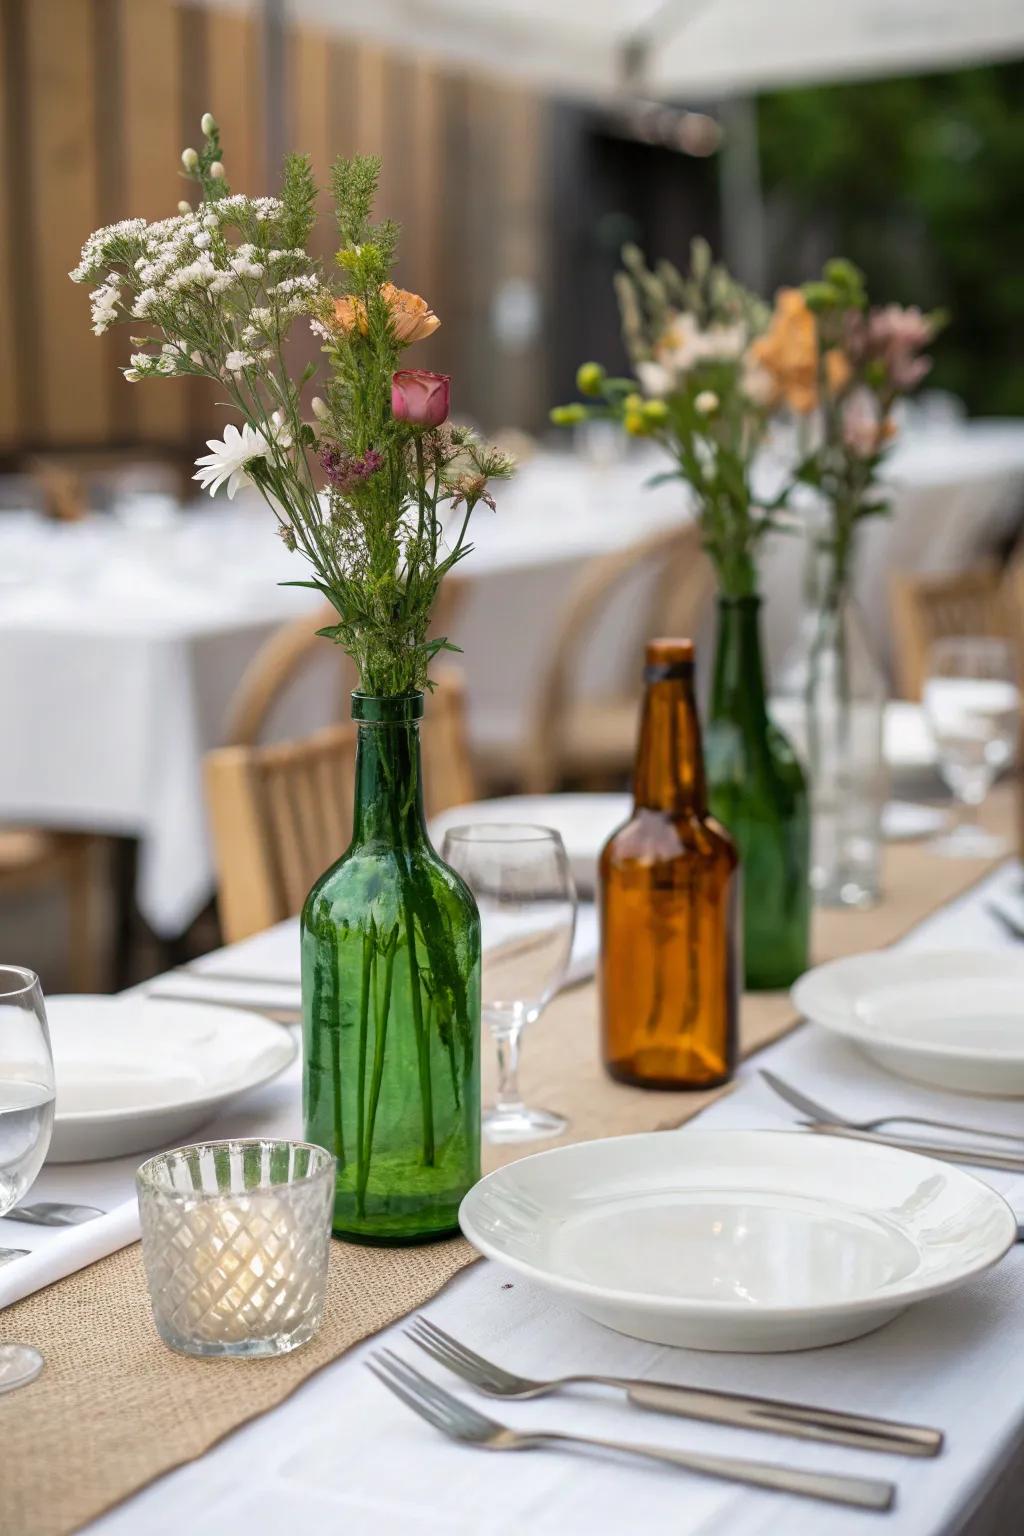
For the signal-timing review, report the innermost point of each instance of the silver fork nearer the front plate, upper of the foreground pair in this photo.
(692, 1403)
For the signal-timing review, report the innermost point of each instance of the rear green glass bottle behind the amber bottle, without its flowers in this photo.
(758, 790)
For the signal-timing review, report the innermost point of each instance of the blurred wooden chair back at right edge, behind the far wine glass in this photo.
(928, 609)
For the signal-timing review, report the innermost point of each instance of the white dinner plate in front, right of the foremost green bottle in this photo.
(739, 1240)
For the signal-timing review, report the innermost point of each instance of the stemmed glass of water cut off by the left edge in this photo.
(27, 1122)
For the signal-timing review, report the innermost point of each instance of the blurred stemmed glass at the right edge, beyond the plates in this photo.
(973, 706)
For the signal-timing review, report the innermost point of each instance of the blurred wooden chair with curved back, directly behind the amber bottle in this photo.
(593, 740)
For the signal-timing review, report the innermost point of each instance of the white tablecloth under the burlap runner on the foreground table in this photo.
(343, 1455)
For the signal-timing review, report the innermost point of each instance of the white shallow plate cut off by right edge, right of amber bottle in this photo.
(951, 1019)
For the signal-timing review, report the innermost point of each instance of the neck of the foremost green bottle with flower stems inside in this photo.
(389, 799)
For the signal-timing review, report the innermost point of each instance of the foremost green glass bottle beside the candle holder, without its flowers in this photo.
(392, 1004)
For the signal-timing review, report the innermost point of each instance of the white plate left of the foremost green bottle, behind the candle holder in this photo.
(134, 1074)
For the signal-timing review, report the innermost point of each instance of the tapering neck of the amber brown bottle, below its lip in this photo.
(670, 772)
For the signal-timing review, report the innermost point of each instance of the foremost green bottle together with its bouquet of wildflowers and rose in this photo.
(374, 488)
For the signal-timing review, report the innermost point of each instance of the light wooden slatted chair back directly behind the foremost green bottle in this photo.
(282, 815)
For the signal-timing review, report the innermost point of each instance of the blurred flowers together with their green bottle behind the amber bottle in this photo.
(699, 391)
